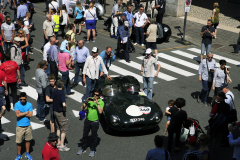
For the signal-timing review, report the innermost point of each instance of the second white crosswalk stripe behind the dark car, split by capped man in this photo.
(138, 67)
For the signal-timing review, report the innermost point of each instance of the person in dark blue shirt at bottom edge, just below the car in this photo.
(159, 153)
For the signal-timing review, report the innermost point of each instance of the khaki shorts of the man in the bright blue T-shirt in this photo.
(23, 131)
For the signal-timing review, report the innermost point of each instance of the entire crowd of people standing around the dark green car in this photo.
(60, 57)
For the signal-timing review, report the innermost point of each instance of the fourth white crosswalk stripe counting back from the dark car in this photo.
(179, 61)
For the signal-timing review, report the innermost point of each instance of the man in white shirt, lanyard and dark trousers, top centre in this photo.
(139, 24)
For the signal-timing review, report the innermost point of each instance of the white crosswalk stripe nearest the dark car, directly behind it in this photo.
(124, 72)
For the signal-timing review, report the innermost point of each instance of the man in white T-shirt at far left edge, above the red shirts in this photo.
(8, 33)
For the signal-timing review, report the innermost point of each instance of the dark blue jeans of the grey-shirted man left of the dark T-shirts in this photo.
(40, 107)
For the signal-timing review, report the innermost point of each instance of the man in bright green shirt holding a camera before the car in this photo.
(94, 106)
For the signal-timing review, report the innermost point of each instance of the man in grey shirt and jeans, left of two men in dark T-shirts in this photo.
(41, 84)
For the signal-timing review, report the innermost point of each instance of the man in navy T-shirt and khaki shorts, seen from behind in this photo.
(59, 110)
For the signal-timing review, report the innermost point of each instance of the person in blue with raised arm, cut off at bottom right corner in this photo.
(236, 142)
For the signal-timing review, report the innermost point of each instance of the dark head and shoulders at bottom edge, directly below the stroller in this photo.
(192, 143)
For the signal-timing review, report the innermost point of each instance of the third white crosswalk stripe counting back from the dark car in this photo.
(172, 68)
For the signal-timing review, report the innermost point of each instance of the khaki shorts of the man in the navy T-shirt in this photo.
(61, 122)
